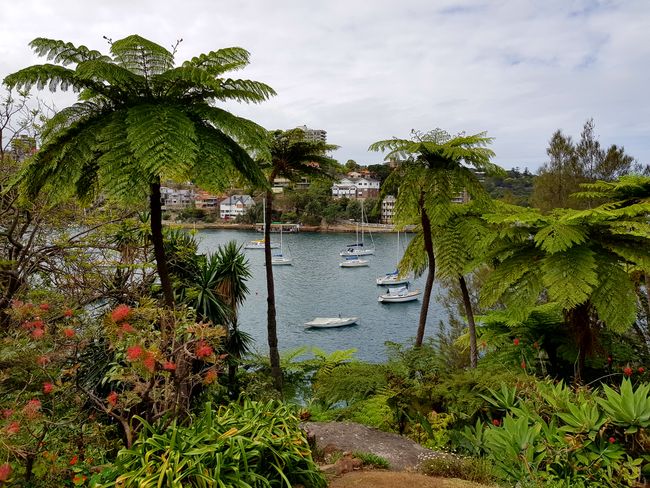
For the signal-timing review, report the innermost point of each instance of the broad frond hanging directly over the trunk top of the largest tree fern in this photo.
(163, 140)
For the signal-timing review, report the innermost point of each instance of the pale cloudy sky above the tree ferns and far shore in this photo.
(368, 70)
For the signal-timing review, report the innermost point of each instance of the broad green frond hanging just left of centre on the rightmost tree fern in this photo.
(570, 277)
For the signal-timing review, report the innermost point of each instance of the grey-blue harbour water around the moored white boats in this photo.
(315, 286)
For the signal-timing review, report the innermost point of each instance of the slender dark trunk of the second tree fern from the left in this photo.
(271, 324)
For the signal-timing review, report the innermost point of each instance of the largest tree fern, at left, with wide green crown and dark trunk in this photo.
(140, 119)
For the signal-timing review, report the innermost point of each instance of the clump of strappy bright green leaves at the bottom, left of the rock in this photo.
(254, 444)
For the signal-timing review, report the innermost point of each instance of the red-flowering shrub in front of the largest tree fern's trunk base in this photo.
(159, 359)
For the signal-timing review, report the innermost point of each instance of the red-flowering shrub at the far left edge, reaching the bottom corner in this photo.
(43, 418)
